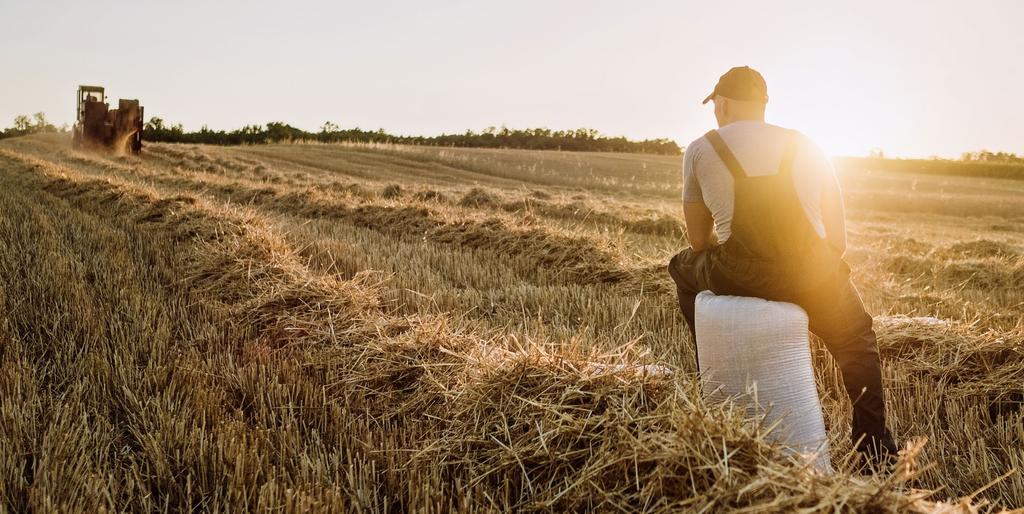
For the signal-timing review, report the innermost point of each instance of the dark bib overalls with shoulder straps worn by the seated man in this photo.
(775, 253)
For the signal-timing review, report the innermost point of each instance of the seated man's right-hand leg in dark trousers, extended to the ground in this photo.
(837, 316)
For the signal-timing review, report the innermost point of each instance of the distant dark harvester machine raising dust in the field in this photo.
(99, 127)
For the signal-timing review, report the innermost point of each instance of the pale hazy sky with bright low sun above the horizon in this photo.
(912, 78)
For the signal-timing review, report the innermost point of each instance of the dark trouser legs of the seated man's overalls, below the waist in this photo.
(836, 314)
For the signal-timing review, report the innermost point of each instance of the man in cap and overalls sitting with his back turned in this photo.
(764, 219)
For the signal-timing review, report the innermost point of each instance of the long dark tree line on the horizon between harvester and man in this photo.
(582, 140)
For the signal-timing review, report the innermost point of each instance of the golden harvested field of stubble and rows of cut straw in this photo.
(380, 329)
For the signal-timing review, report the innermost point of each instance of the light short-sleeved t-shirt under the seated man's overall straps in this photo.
(759, 148)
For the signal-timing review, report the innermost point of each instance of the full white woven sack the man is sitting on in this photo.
(758, 352)
